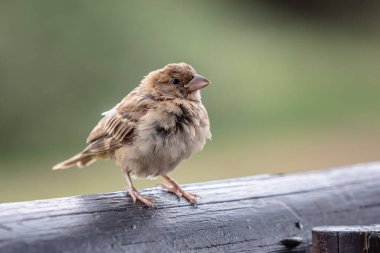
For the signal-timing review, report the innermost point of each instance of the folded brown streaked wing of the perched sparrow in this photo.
(117, 126)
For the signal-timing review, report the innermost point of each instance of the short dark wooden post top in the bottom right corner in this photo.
(346, 239)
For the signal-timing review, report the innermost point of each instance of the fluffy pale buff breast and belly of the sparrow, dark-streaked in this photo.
(167, 135)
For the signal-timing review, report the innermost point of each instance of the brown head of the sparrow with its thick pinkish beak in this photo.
(177, 80)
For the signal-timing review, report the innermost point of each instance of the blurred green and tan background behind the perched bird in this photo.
(295, 85)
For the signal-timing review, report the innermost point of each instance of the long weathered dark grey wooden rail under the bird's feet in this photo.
(252, 214)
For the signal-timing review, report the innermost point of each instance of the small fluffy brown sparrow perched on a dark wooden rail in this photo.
(156, 126)
